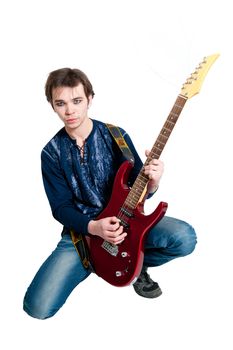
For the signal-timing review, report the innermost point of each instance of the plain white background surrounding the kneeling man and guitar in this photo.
(137, 54)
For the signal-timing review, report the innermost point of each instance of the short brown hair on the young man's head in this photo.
(67, 77)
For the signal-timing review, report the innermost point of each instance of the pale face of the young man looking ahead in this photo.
(71, 105)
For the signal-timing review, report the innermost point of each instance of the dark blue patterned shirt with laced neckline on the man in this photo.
(79, 188)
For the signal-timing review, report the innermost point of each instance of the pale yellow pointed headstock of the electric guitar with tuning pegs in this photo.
(193, 84)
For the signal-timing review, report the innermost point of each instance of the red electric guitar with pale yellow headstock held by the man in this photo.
(120, 265)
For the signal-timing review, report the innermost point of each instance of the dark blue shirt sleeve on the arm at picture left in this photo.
(60, 196)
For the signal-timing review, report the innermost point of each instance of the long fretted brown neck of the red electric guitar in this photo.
(141, 181)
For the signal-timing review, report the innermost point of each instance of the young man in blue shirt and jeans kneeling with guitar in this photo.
(78, 167)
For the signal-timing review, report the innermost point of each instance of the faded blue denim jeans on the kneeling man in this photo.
(63, 270)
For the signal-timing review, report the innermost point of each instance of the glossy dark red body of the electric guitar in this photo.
(121, 264)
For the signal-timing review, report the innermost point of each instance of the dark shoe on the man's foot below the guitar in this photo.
(145, 286)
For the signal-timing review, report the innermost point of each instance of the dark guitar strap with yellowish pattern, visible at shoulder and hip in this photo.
(77, 238)
